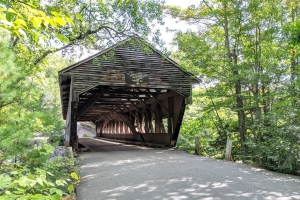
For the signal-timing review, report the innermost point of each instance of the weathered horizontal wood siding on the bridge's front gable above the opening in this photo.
(127, 67)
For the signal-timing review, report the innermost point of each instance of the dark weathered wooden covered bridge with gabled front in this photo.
(130, 91)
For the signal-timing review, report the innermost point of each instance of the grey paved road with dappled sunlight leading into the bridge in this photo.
(145, 173)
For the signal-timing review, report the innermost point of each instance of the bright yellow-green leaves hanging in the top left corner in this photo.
(29, 20)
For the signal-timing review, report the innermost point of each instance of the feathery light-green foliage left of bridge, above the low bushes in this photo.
(25, 104)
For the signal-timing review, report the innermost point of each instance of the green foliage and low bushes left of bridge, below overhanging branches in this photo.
(30, 107)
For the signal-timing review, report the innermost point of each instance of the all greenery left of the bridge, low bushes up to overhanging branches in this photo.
(37, 39)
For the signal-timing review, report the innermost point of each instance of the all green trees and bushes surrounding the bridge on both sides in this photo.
(245, 52)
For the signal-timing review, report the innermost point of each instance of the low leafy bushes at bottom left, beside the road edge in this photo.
(51, 180)
